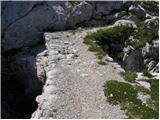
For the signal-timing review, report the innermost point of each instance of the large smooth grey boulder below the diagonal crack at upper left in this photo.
(27, 30)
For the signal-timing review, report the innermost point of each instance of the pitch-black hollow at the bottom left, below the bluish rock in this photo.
(21, 106)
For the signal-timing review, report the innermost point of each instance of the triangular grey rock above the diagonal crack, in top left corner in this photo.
(14, 10)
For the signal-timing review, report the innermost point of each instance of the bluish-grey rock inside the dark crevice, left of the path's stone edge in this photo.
(24, 67)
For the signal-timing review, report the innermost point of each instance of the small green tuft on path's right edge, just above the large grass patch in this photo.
(129, 76)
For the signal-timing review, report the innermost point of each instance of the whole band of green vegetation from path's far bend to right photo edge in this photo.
(119, 36)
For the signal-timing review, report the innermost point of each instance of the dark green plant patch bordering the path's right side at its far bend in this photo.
(113, 35)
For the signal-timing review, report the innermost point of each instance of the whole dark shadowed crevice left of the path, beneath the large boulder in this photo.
(20, 84)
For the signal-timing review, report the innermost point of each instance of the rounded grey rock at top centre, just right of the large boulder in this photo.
(79, 13)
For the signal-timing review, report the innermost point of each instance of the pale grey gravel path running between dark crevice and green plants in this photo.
(74, 85)
